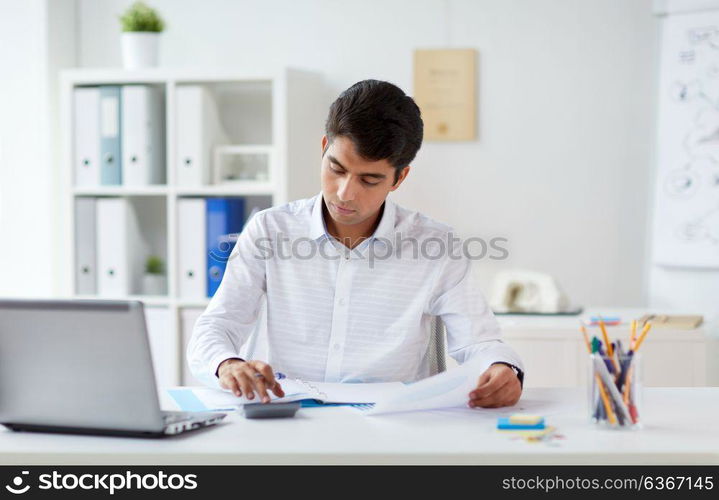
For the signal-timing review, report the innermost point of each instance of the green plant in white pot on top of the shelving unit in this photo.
(141, 28)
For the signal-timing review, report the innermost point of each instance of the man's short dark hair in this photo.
(380, 120)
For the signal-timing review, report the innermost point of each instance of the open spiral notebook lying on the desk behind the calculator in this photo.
(206, 399)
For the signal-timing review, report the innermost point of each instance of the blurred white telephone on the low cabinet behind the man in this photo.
(520, 291)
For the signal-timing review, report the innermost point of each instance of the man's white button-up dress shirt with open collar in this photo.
(341, 315)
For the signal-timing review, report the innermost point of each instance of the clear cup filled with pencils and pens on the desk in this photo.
(615, 390)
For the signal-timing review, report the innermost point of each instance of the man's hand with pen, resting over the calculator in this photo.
(246, 377)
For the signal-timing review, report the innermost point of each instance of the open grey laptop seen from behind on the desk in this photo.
(82, 366)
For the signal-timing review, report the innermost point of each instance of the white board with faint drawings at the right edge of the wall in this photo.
(686, 215)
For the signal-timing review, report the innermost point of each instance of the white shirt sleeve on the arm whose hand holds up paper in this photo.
(473, 332)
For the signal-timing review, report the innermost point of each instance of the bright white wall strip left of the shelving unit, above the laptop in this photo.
(36, 37)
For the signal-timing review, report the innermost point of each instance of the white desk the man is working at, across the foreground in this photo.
(680, 428)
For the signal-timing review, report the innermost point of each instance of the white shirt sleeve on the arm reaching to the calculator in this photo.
(233, 311)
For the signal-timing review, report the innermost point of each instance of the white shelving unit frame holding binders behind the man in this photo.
(285, 107)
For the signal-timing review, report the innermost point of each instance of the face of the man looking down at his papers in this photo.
(354, 188)
